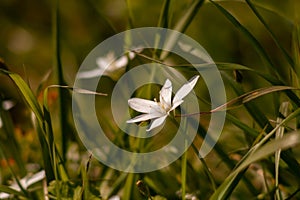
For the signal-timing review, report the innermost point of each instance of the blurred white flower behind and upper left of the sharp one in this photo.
(109, 66)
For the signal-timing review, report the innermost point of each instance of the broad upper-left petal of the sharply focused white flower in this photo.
(143, 105)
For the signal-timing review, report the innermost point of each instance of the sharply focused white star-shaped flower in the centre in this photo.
(159, 111)
